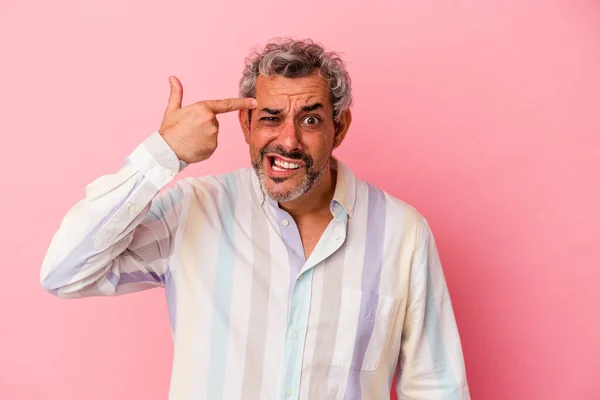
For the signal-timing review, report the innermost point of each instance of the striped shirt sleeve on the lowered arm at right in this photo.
(431, 358)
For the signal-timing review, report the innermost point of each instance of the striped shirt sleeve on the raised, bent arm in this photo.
(118, 239)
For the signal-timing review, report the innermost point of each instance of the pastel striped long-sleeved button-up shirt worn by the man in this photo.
(251, 317)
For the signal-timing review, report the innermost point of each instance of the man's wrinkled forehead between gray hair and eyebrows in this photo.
(281, 91)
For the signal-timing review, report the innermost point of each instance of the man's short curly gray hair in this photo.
(297, 58)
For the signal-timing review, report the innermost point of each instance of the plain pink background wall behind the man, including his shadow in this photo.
(485, 115)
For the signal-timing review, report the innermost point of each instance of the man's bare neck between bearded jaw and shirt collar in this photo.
(317, 199)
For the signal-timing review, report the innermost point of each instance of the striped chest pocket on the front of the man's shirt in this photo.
(364, 331)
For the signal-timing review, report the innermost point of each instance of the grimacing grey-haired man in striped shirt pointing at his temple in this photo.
(290, 280)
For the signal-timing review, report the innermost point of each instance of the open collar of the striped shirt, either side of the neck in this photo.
(344, 194)
